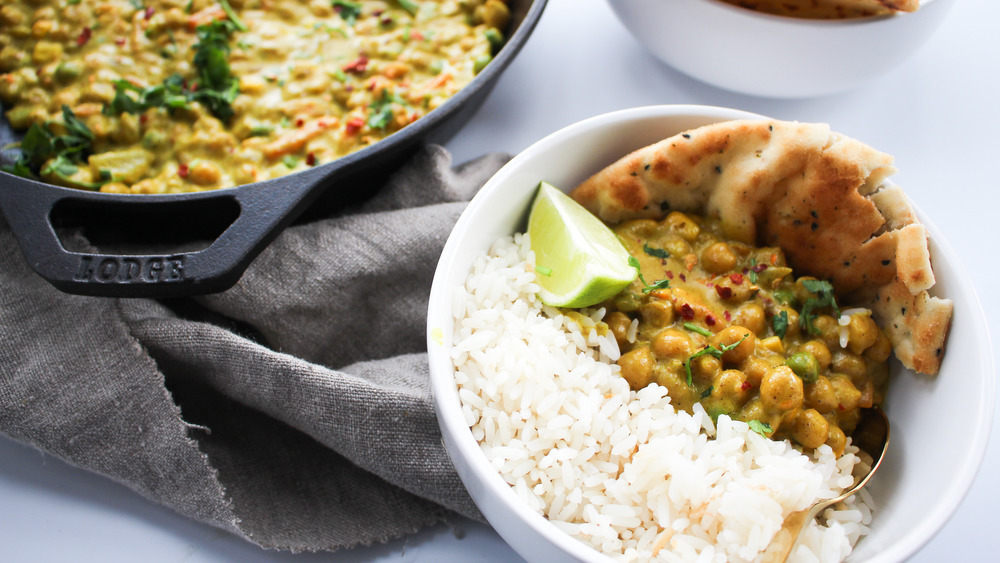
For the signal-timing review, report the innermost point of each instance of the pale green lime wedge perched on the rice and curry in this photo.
(579, 260)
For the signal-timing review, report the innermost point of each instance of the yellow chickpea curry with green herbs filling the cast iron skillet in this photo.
(159, 96)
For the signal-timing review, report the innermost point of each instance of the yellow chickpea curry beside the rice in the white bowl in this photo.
(728, 325)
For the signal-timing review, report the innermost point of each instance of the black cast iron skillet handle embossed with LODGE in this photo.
(261, 211)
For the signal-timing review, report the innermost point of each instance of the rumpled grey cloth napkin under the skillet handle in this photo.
(293, 409)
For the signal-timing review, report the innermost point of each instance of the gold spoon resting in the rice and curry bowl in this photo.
(872, 436)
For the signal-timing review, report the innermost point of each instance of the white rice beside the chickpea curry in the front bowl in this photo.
(621, 469)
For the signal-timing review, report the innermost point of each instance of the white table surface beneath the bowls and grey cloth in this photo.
(937, 114)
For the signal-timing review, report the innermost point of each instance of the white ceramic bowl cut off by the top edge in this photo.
(776, 56)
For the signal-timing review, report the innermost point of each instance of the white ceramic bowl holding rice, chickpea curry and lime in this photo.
(940, 424)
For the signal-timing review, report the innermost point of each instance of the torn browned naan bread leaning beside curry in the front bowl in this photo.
(820, 196)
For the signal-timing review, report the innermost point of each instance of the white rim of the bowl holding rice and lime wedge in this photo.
(456, 433)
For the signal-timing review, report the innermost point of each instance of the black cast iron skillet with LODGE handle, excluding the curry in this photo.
(242, 220)
